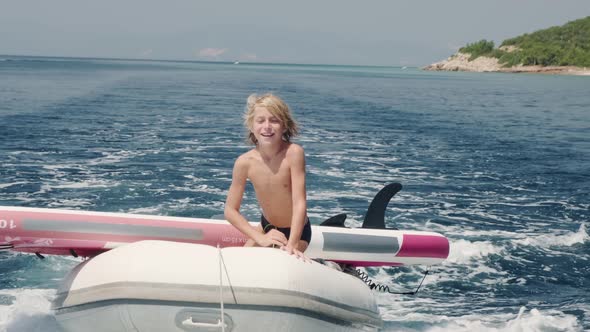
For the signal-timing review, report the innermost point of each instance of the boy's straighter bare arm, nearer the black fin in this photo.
(298, 194)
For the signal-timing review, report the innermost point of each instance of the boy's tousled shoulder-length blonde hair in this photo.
(277, 107)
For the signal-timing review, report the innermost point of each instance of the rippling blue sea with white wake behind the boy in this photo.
(499, 163)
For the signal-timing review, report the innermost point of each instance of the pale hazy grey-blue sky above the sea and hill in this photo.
(363, 32)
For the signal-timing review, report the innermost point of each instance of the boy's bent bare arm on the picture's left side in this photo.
(233, 202)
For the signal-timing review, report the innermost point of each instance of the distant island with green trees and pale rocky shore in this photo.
(557, 50)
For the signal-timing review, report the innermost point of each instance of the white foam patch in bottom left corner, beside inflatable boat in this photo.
(30, 311)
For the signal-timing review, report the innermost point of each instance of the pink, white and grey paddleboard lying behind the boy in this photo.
(86, 234)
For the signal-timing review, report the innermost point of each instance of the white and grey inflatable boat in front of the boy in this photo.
(171, 286)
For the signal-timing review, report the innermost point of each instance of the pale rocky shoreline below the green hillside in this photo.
(460, 62)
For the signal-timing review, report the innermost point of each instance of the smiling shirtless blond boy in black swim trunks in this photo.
(276, 168)
